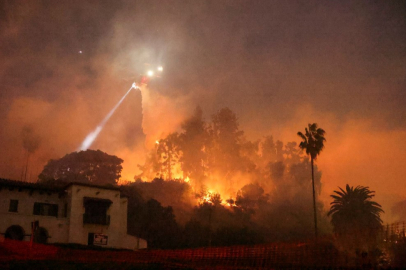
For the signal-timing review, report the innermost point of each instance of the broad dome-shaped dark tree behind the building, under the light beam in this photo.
(88, 166)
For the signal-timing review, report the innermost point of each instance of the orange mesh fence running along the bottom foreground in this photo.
(296, 255)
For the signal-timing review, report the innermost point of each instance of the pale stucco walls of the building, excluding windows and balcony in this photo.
(68, 226)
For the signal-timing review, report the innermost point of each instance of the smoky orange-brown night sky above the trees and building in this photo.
(278, 65)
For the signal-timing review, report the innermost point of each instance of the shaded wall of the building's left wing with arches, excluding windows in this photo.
(57, 227)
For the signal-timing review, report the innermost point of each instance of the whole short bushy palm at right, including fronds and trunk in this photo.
(355, 217)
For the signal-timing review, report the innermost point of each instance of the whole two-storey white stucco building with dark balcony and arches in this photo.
(77, 213)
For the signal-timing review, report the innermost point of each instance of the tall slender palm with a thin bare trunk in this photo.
(313, 142)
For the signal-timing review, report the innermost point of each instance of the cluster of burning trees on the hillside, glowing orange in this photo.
(216, 155)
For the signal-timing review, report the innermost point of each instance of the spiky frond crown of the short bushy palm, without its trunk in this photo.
(353, 210)
